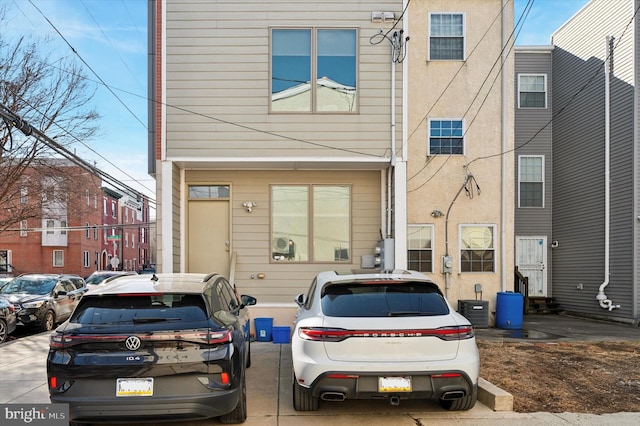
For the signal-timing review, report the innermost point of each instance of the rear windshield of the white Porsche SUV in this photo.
(383, 300)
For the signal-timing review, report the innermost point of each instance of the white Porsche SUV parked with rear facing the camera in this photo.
(387, 336)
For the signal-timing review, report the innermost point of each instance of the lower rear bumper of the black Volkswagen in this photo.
(143, 409)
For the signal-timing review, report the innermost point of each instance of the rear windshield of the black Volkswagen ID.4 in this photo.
(157, 308)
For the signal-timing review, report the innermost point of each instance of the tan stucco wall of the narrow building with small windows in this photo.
(470, 90)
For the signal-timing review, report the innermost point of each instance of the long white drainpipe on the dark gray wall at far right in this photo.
(605, 302)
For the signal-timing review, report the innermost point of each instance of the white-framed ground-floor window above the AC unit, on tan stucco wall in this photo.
(477, 248)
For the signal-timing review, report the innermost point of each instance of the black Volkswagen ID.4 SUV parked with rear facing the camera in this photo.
(154, 347)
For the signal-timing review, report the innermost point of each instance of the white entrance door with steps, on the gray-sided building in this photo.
(531, 260)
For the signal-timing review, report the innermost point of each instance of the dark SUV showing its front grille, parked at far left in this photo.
(41, 300)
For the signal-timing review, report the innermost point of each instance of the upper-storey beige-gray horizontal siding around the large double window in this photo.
(217, 85)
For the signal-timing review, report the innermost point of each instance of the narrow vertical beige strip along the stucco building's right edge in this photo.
(503, 196)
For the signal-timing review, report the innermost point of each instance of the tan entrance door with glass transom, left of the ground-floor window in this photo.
(208, 242)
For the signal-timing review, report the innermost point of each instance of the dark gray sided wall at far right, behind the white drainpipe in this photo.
(579, 141)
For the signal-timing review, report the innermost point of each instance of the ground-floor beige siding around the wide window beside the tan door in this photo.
(251, 231)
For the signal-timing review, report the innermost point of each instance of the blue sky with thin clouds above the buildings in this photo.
(111, 37)
